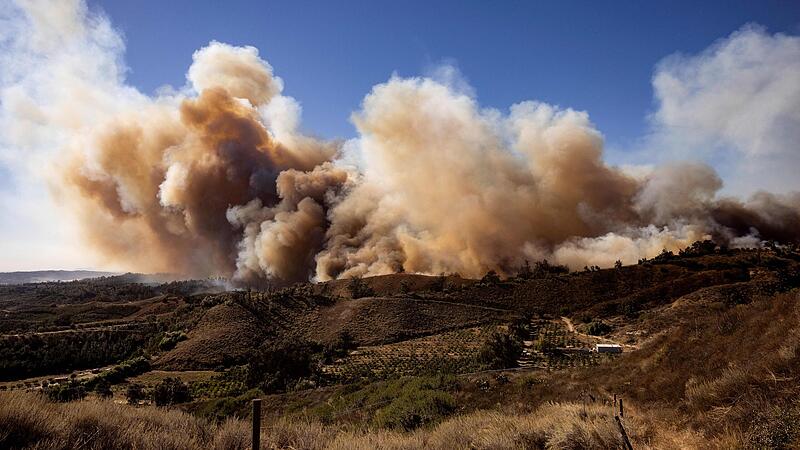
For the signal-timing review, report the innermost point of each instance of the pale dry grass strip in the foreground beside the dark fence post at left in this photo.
(29, 421)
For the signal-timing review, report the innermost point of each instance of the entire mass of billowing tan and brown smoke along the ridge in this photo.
(216, 179)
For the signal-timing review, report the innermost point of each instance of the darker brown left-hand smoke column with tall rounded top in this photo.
(194, 185)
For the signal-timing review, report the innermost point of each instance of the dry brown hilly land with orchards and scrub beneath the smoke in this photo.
(710, 339)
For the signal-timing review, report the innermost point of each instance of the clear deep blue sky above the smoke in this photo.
(593, 56)
